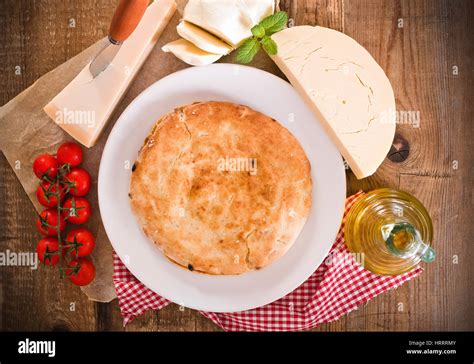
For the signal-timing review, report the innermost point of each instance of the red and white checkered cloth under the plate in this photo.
(337, 287)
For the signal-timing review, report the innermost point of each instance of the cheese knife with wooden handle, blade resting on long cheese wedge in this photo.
(126, 18)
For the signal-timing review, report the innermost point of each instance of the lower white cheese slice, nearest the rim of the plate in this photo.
(189, 53)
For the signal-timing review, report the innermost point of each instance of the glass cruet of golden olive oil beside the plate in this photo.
(392, 229)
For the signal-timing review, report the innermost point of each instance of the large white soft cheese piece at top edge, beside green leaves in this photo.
(230, 20)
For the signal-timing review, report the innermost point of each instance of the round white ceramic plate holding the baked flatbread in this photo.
(261, 91)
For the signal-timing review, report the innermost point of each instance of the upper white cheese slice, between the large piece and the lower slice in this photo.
(202, 39)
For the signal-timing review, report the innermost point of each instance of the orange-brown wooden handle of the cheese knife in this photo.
(126, 18)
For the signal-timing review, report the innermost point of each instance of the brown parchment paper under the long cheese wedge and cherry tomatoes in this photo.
(26, 131)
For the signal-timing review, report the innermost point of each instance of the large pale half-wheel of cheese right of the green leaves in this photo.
(345, 88)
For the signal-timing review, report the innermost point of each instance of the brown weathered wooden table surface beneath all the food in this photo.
(426, 50)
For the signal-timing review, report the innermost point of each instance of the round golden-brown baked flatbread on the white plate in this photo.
(221, 188)
